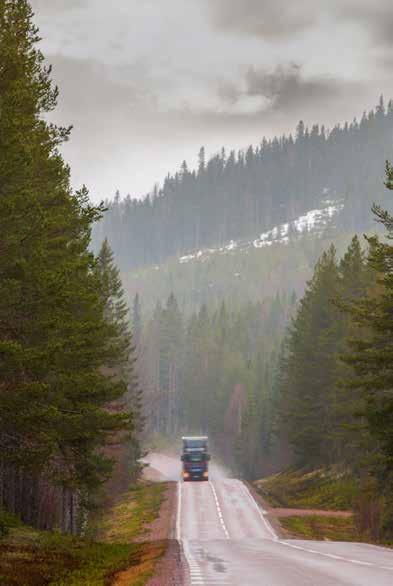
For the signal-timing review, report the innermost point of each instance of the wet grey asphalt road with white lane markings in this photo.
(227, 539)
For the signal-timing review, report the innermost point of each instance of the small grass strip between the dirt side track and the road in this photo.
(321, 528)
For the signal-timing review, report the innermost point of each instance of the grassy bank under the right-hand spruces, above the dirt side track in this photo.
(321, 489)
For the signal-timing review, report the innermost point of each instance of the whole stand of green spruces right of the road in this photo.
(334, 403)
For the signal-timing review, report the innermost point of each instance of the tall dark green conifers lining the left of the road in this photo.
(64, 342)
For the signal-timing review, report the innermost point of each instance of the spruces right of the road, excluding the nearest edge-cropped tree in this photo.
(312, 405)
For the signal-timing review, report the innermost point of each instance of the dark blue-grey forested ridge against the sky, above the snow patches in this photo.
(238, 195)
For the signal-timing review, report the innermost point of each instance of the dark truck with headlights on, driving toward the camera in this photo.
(195, 458)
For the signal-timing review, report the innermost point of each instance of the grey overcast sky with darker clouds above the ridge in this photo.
(147, 82)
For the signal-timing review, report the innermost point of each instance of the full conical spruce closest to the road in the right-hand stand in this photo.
(306, 394)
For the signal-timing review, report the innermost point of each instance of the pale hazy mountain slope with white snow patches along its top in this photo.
(278, 261)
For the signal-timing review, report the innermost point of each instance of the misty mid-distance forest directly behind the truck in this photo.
(214, 373)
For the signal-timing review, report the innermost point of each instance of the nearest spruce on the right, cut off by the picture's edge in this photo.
(371, 355)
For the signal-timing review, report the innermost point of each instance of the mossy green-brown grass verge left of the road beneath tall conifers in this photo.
(37, 558)
